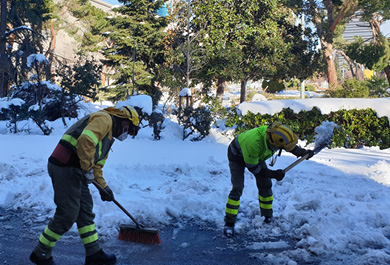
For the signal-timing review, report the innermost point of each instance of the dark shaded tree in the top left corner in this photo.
(22, 25)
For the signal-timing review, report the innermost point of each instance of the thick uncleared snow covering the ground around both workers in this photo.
(336, 206)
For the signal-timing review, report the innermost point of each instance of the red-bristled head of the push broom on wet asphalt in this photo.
(139, 235)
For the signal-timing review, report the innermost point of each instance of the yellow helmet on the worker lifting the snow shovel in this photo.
(281, 136)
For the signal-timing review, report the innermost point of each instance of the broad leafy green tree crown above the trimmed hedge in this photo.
(250, 40)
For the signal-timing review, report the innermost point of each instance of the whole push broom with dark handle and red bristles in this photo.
(134, 233)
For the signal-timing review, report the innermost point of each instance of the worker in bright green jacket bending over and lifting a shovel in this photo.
(250, 150)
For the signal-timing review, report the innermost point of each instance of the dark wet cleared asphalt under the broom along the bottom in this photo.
(192, 244)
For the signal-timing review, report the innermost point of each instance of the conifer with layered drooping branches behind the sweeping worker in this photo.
(136, 34)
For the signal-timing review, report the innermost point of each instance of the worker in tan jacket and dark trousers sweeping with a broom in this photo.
(77, 160)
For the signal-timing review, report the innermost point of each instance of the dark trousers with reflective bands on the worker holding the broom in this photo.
(74, 205)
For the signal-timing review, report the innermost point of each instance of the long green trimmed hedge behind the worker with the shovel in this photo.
(356, 127)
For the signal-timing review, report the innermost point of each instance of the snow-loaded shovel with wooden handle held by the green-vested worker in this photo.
(323, 138)
